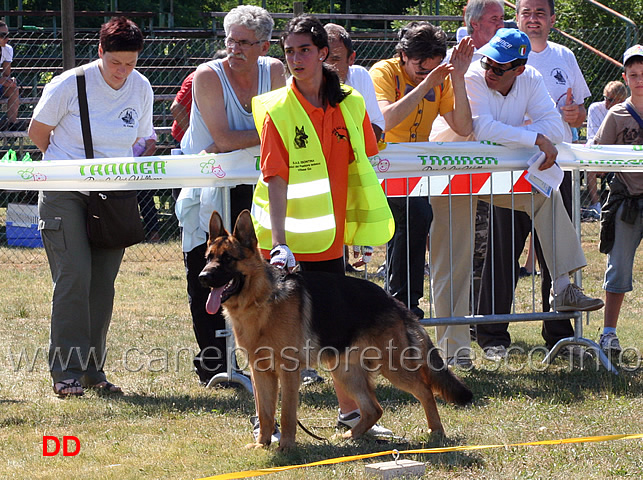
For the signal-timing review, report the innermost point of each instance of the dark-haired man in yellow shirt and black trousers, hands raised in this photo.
(412, 88)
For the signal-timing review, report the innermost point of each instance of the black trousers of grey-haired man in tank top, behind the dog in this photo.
(211, 358)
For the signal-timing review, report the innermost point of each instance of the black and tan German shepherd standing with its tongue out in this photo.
(285, 322)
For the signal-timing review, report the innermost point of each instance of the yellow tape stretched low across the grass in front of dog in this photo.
(331, 461)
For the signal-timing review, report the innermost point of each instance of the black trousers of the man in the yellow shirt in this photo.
(420, 215)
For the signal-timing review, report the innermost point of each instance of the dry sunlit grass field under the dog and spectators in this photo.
(167, 426)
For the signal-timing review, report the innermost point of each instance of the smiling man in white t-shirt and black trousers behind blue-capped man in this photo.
(567, 88)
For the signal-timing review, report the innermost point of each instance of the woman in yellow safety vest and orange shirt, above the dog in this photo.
(317, 189)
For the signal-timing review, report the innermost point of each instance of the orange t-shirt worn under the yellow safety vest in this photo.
(331, 129)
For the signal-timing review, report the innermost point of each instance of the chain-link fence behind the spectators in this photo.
(166, 60)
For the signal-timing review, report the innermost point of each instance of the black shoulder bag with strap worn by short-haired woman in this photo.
(113, 218)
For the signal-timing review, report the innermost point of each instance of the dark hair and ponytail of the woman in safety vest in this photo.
(332, 91)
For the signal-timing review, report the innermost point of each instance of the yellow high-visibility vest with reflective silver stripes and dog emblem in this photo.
(310, 220)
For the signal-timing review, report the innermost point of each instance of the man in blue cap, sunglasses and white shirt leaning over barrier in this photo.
(502, 92)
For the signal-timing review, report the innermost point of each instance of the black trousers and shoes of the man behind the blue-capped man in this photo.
(504, 266)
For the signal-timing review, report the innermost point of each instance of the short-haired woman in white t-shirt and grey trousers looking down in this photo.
(120, 111)
